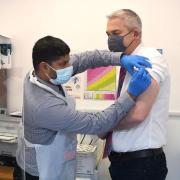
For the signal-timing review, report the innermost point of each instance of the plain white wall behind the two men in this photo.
(82, 25)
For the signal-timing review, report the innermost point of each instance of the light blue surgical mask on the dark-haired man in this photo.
(62, 75)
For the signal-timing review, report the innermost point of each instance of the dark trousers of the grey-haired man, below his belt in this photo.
(149, 168)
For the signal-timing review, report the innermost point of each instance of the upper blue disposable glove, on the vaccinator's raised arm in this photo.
(131, 61)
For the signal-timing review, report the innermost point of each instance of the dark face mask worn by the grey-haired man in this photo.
(115, 43)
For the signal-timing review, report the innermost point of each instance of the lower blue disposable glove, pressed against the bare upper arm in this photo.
(140, 81)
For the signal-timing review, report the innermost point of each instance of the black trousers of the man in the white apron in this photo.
(19, 174)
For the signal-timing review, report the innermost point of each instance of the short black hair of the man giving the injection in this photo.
(48, 49)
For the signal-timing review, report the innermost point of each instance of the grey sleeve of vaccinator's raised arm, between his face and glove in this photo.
(92, 59)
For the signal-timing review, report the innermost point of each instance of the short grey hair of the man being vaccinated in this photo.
(131, 19)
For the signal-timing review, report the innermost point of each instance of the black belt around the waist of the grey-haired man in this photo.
(120, 156)
